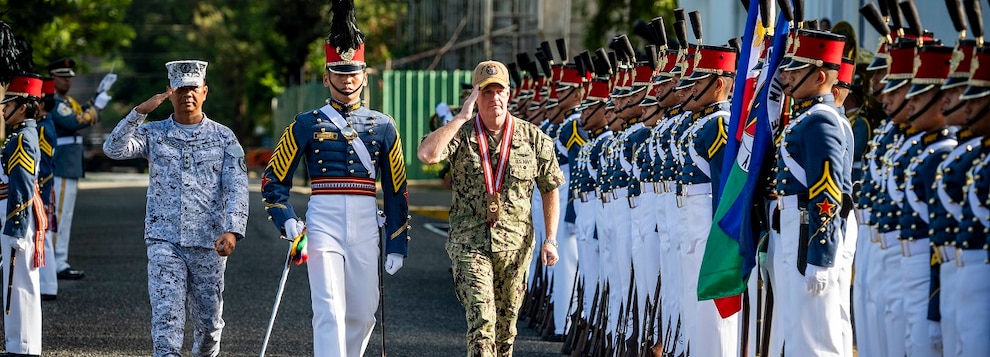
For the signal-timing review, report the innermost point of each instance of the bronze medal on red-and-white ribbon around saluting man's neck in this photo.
(493, 176)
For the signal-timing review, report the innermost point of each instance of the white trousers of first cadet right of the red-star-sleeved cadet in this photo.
(868, 340)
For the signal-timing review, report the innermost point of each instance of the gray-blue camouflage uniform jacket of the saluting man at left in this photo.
(198, 182)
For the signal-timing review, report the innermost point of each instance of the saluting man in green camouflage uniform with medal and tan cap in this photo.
(491, 229)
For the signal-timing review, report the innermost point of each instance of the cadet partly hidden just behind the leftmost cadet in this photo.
(46, 184)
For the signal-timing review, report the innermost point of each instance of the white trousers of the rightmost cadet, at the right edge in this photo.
(972, 299)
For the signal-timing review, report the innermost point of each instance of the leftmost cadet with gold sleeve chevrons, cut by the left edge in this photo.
(23, 228)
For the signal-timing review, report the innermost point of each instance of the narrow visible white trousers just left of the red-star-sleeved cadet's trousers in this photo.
(778, 285)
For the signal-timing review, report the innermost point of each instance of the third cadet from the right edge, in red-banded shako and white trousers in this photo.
(931, 68)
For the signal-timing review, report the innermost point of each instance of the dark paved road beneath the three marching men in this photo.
(107, 313)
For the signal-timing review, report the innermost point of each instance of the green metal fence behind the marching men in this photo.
(410, 97)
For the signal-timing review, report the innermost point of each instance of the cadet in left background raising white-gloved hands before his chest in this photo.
(70, 117)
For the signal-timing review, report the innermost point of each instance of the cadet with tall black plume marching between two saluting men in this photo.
(347, 147)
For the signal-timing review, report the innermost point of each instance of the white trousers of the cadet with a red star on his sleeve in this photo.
(813, 322)
